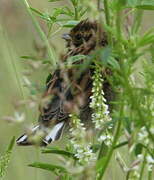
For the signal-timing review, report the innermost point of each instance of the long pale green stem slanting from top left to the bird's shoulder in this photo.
(51, 53)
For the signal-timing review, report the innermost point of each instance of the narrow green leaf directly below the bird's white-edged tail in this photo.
(59, 152)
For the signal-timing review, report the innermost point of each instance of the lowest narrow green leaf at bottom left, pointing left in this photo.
(49, 167)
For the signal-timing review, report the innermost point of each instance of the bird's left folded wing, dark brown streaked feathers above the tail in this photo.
(52, 110)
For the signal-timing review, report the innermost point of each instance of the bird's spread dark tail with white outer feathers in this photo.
(47, 136)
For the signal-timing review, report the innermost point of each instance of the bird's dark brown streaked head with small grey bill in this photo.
(85, 35)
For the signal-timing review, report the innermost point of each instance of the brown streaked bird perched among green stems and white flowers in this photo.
(69, 89)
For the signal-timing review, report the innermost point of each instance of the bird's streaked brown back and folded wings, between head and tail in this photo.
(65, 91)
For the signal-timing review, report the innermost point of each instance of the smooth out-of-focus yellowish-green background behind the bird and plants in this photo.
(18, 38)
